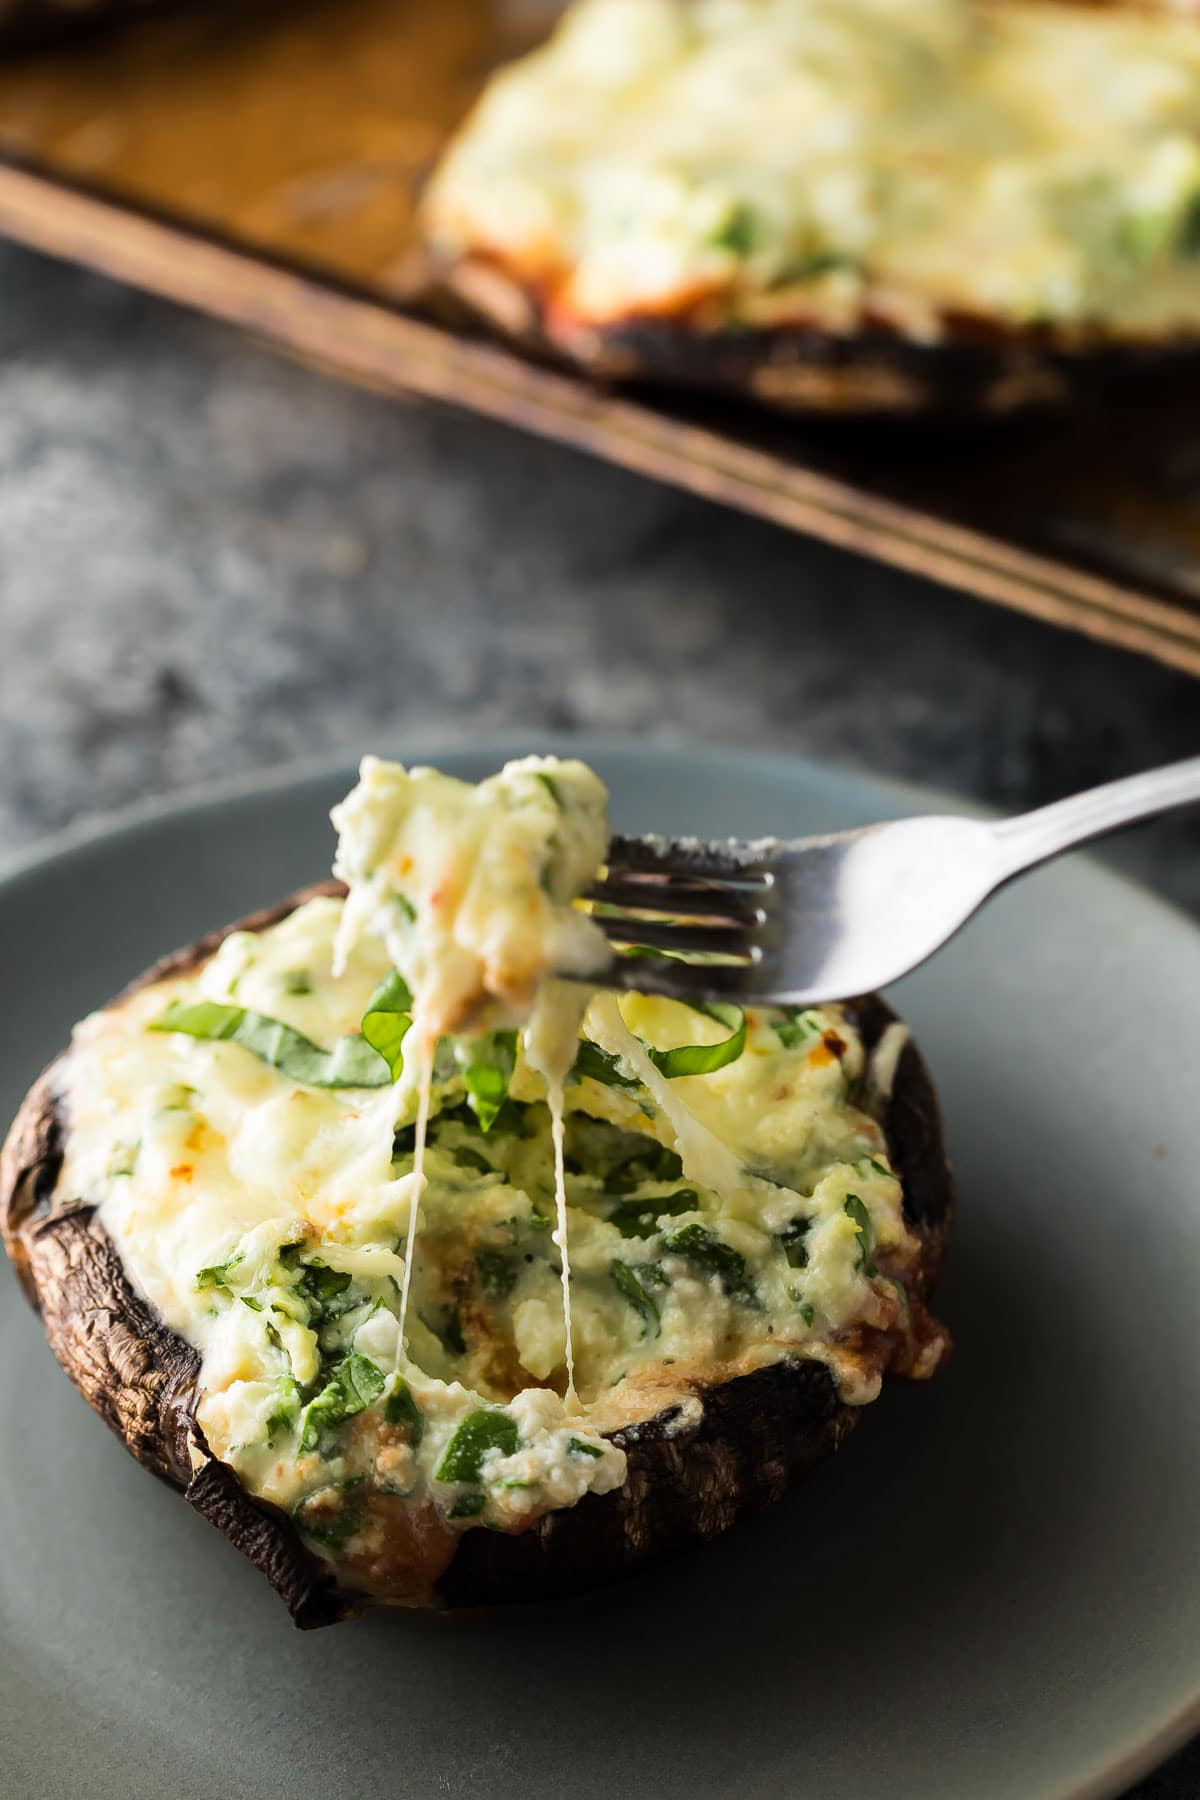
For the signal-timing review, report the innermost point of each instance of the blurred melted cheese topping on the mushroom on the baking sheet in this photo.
(843, 161)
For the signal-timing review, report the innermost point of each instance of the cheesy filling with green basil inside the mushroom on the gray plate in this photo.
(253, 1133)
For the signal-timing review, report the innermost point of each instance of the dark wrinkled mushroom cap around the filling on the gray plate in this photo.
(692, 1473)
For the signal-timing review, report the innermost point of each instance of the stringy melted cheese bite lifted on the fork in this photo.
(470, 890)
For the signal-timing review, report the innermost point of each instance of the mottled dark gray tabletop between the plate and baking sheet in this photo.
(211, 562)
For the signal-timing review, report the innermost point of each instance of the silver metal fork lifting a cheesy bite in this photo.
(803, 921)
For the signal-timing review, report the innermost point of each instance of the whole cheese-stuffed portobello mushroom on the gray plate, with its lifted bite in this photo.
(433, 1279)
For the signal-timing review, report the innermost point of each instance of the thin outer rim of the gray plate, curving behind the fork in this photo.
(193, 798)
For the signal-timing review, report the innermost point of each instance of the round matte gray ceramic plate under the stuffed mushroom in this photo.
(994, 1592)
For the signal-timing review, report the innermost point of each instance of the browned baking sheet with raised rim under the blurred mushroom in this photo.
(264, 165)
